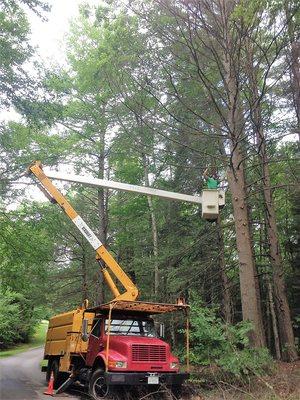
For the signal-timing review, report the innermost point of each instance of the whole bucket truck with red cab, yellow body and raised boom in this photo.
(115, 343)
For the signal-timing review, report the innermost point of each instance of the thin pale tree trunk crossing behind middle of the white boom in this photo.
(154, 230)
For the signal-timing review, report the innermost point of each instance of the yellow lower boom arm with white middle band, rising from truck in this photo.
(54, 195)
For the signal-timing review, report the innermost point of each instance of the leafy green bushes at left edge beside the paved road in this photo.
(25, 249)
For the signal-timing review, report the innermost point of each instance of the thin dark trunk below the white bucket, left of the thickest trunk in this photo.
(226, 294)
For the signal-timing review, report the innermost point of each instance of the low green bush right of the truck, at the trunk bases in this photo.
(215, 343)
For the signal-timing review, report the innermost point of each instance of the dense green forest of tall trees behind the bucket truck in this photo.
(152, 94)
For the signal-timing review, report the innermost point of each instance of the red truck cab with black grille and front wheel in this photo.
(136, 355)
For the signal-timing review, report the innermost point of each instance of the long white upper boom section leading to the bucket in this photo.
(90, 181)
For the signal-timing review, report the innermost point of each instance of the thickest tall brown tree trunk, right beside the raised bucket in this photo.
(250, 299)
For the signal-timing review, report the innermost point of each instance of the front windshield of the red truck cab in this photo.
(131, 327)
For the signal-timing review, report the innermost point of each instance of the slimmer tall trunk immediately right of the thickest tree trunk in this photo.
(283, 311)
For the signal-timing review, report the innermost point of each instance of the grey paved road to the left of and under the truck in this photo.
(21, 378)
